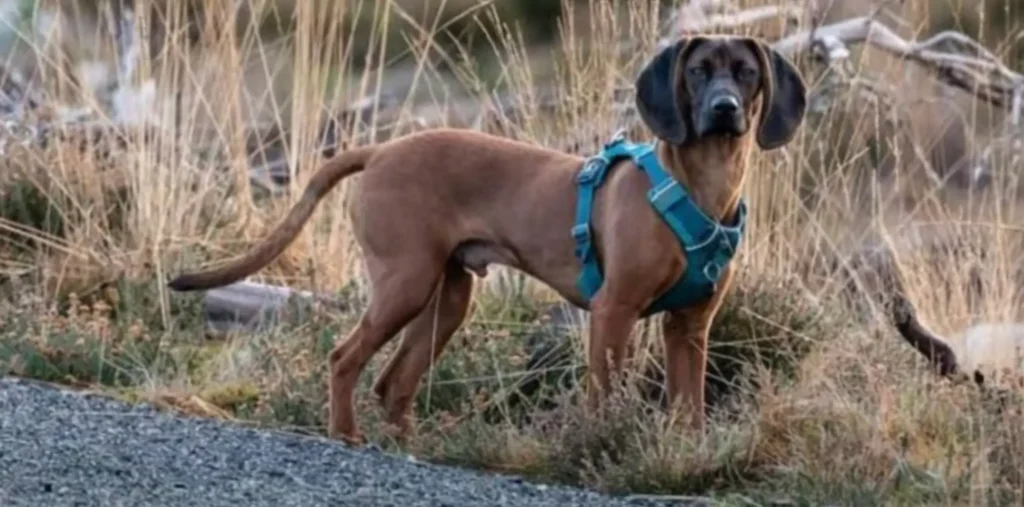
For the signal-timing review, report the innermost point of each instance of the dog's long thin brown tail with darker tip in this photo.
(320, 185)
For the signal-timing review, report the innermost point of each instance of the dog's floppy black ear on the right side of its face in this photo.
(784, 99)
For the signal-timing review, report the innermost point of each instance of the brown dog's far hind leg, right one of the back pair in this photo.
(424, 340)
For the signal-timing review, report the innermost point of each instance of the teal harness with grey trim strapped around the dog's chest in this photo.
(708, 244)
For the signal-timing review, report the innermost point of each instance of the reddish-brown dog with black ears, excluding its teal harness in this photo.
(433, 206)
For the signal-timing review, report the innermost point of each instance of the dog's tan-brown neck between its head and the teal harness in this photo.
(712, 171)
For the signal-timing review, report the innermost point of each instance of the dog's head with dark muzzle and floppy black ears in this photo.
(707, 87)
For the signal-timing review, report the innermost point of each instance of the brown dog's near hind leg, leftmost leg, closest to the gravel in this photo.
(401, 289)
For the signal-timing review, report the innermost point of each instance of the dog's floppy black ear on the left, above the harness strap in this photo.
(658, 99)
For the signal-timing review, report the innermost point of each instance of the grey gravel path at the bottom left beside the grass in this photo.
(61, 448)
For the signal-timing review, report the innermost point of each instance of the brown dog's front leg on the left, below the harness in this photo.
(611, 326)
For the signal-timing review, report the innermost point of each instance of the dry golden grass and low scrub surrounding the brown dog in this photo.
(816, 402)
